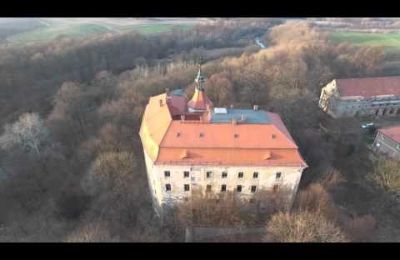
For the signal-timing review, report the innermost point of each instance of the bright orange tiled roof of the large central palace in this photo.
(195, 142)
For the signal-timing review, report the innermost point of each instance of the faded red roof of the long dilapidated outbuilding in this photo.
(369, 87)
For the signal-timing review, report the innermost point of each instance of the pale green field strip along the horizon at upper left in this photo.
(51, 30)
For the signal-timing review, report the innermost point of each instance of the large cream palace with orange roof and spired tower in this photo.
(190, 146)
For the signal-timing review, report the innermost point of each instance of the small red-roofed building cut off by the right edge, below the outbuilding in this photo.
(387, 141)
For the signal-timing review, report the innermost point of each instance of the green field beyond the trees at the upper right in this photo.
(390, 41)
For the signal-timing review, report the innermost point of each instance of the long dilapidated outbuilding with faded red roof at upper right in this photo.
(379, 96)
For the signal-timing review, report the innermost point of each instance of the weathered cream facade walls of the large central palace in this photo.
(289, 179)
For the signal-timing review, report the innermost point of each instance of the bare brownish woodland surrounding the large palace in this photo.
(71, 161)
